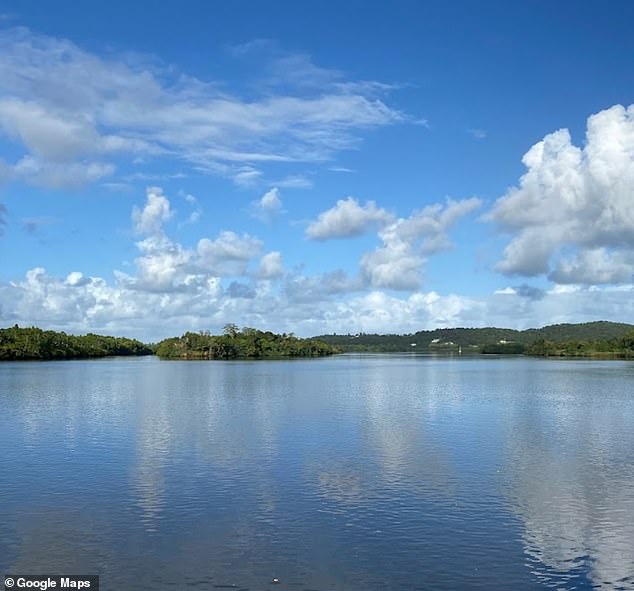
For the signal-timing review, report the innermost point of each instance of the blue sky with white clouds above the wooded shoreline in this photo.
(315, 167)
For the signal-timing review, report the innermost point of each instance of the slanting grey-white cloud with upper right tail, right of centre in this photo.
(407, 242)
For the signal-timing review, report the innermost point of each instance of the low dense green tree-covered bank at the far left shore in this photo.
(34, 343)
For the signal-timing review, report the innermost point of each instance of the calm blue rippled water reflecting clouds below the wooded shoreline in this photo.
(350, 473)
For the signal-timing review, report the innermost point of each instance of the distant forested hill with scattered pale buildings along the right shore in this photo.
(477, 338)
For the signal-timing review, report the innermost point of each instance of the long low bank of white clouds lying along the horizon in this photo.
(304, 305)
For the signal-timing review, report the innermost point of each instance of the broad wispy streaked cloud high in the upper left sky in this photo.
(67, 107)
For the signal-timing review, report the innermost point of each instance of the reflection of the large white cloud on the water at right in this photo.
(570, 466)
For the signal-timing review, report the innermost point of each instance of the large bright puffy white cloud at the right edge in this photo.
(574, 200)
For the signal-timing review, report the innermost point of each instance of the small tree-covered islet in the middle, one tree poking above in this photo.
(245, 343)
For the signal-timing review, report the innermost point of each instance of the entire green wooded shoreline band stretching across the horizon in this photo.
(593, 339)
